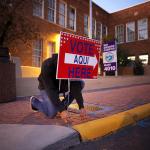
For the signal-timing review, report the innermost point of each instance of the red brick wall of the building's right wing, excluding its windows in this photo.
(129, 15)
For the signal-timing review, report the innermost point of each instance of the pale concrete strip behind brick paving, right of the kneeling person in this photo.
(112, 82)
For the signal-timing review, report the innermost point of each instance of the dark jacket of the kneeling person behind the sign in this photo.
(47, 81)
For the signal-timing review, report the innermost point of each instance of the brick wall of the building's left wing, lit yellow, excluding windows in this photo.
(48, 29)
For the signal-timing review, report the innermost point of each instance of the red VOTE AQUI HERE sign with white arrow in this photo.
(78, 57)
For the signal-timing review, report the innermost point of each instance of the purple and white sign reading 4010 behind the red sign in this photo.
(110, 56)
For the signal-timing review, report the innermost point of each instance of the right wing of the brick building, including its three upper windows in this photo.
(131, 28)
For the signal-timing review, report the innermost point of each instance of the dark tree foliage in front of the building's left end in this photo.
(15, 25)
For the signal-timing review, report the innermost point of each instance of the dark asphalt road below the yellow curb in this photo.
(135, 137)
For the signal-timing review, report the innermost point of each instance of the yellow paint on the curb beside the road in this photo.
(101, 127)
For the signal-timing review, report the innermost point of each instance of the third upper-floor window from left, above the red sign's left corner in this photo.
(62, 14)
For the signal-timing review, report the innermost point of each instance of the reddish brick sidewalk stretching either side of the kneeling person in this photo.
(110, 94)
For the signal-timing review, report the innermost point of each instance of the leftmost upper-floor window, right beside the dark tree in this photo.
(38, 8)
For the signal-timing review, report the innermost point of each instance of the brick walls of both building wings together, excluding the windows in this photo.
(47, 29)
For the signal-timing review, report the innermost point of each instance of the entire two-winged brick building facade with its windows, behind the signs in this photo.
(131, 28)
